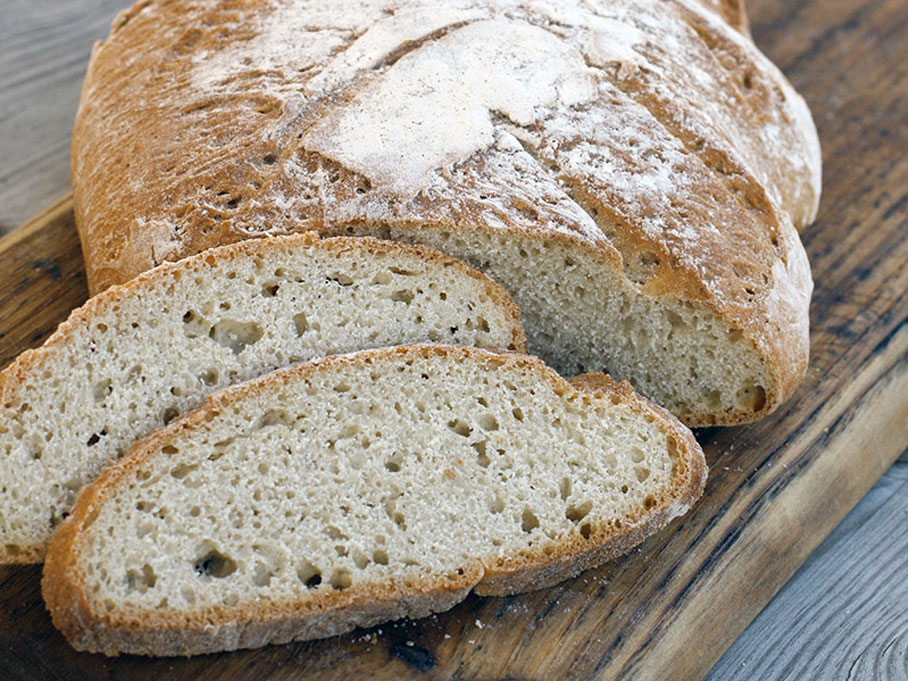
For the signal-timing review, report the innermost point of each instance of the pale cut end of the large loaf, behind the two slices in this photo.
(581, 313)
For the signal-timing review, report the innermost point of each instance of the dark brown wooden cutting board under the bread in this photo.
(776, 488)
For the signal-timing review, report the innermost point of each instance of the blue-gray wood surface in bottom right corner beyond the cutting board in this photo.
(844, 615)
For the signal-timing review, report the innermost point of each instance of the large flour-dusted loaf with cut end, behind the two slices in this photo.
(631, 171)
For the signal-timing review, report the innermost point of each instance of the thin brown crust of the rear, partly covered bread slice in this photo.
(18, 371)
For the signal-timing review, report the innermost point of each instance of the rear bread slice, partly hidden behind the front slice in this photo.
(135, 356)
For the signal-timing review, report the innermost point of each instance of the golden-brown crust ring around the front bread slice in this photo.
(333, 612)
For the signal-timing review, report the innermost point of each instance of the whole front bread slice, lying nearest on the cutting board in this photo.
(360, 488)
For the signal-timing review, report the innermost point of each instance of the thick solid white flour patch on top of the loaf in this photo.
(434, 106)
